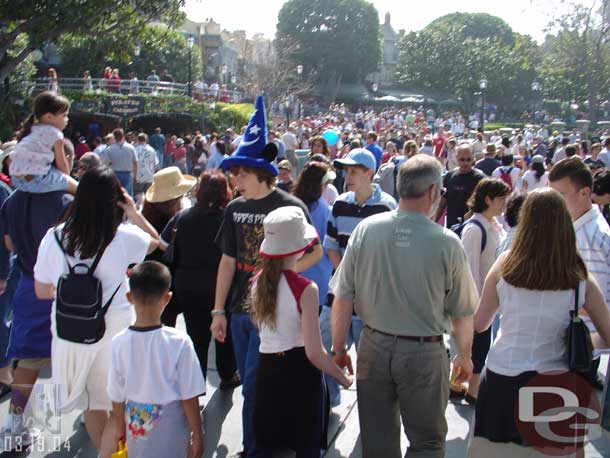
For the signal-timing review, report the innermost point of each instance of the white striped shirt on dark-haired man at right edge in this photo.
(593, 241)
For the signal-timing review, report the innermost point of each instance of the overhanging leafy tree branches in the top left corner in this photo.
(47, 20)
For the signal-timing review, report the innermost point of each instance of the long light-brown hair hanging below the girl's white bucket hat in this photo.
(263, 299)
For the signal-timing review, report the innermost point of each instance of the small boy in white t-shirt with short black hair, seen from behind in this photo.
(155, 378)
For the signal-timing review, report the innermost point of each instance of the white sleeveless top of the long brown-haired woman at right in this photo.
(533, 326)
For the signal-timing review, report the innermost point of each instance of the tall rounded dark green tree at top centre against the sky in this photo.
(338, 40)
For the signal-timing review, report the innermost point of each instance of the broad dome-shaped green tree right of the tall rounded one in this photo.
(454, 52)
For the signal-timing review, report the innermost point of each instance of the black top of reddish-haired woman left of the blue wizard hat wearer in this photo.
(195, 253)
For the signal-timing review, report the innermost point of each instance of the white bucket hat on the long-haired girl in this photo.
(287, 232)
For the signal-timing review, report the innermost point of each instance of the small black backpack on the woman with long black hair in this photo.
(79, 314)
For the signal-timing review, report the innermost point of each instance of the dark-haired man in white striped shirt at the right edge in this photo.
(573, 180)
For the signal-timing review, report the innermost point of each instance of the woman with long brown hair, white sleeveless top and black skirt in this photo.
(532, 287)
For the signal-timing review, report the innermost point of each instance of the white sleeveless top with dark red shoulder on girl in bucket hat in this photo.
(288, 332)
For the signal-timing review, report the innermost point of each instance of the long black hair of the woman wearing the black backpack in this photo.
(94, 216)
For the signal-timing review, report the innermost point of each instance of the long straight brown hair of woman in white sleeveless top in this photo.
(544, 256)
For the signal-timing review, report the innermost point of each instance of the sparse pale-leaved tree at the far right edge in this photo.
(576, 58)
